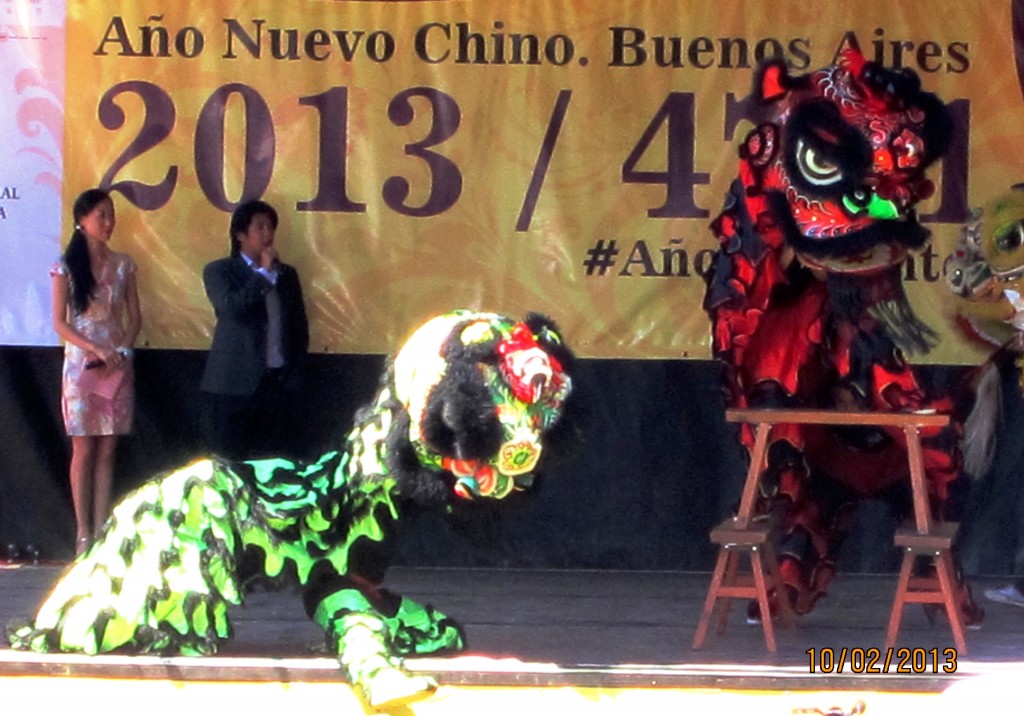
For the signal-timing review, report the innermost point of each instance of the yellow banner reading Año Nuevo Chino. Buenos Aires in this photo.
(513, 156)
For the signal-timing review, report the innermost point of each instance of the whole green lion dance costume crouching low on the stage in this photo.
(462, 413)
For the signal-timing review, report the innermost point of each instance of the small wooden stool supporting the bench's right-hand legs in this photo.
(938, 589)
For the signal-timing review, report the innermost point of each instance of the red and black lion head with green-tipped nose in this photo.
(839, 158)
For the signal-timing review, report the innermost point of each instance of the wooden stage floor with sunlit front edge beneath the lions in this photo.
(611, 631)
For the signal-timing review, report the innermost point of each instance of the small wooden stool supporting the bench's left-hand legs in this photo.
(728, 583)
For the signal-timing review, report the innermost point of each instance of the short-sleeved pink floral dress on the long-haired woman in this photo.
(99, 401)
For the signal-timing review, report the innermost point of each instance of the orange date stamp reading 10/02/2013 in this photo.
(882, 661)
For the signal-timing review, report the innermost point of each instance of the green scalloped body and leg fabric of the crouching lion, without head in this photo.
(166, 569)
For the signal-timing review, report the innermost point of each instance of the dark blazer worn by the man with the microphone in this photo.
(237, 359)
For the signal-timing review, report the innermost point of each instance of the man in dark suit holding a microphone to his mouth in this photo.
(253, 370)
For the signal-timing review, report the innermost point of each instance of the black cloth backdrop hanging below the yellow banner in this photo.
(657, 470)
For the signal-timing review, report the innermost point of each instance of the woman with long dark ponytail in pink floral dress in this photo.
(97, 314)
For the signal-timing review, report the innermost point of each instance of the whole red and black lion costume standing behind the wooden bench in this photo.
(807, 302)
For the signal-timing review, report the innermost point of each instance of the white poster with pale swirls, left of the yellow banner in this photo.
(32, 82)
